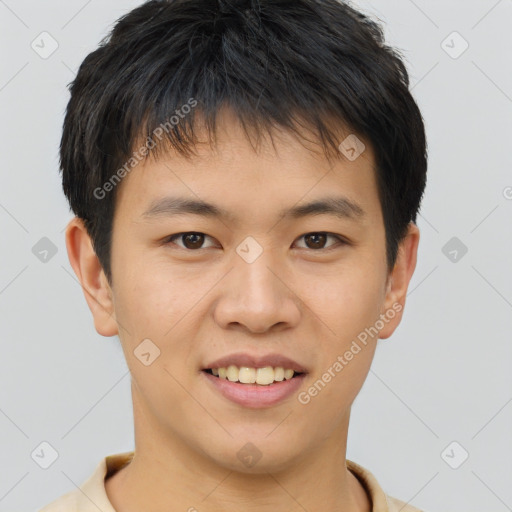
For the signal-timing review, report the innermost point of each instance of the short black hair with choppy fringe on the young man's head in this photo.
(276, 63)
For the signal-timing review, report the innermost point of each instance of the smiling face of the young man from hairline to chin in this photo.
(253, 280)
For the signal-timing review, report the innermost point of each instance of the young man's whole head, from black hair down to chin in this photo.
(256, 108)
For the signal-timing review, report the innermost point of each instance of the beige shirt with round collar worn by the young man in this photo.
(92, 497)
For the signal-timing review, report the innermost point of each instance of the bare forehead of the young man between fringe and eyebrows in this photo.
(282, 169)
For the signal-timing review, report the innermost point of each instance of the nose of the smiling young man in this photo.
(257, 297)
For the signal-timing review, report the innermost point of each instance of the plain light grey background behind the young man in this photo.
(444, 376)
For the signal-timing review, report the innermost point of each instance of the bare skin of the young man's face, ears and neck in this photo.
(200, 304)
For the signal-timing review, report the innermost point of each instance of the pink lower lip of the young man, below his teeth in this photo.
(254, 395)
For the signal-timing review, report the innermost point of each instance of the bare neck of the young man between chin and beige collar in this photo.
(168, 475)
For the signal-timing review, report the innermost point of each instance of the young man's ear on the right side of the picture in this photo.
(398, 281)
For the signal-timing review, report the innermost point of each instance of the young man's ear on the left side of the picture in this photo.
(89, 271)
